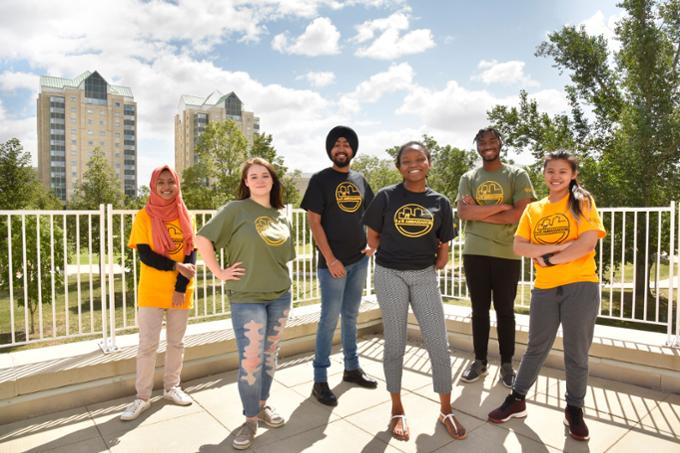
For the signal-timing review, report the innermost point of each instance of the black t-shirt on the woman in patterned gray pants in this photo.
(411, 225)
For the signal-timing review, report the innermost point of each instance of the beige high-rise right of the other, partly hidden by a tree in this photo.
(194, 114)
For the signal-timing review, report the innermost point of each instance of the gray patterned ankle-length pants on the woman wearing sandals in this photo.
(396, 290)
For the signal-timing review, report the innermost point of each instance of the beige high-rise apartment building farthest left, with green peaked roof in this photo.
(75, 116)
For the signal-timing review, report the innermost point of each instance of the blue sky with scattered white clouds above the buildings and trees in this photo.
(392, 69)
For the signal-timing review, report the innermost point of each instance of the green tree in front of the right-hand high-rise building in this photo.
(214, 178)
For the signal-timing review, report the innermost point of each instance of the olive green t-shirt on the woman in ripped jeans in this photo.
(260, 238)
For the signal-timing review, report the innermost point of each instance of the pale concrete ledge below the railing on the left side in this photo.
(61, 377)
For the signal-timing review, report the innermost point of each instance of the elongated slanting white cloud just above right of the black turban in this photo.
(398, 77)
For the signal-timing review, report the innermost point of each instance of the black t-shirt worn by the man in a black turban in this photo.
(340, 199)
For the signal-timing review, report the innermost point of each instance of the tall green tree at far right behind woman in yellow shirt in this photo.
(629, 143)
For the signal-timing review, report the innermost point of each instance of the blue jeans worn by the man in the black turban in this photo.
(339, 296)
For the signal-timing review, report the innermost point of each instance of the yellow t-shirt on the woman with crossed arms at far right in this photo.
(544, 222)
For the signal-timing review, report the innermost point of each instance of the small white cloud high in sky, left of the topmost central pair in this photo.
(319, 38)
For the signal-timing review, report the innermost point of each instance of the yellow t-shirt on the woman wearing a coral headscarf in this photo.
(156, 287)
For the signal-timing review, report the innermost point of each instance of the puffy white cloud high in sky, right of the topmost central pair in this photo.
(390, 43)
